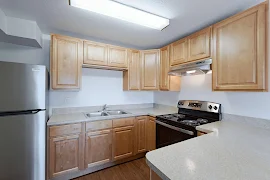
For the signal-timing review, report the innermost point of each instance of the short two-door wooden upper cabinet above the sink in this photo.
(104, 56)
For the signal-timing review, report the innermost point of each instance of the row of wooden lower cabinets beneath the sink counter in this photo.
(94, 145)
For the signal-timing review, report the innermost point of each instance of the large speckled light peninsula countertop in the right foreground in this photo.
(231, 151)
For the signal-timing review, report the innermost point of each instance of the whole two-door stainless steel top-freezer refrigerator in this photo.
(23, 117)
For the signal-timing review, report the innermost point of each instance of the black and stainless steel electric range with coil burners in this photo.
(173, 128)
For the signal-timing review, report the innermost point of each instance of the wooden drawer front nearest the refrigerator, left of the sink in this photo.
(65, 129)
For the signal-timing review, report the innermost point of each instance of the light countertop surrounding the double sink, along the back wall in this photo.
(61, 119)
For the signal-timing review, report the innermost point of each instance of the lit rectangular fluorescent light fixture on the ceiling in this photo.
(123, 12)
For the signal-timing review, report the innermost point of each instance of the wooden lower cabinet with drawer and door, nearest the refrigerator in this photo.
(66, 149)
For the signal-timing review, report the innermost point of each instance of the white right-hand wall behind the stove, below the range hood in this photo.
(252, 104)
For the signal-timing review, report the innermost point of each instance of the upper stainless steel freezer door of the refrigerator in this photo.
(23, 87)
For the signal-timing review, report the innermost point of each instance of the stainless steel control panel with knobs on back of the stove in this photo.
(200, 105)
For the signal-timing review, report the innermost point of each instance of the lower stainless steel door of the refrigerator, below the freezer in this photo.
(22, 147)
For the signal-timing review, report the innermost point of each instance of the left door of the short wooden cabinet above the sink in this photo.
(95, 53)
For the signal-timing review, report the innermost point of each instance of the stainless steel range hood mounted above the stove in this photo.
(192, 68)
